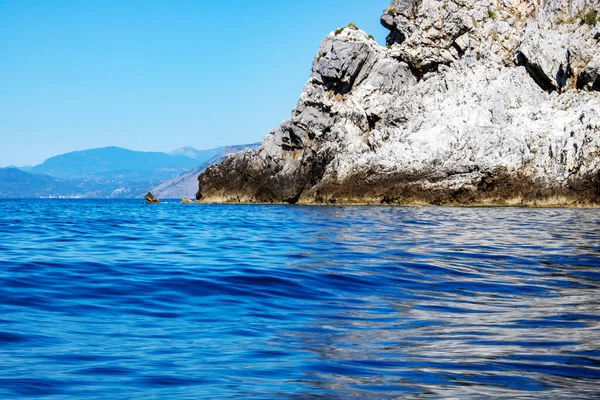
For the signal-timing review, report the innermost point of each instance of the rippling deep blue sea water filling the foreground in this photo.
(119, 300)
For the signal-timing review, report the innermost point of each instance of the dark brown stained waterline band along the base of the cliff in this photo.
(483, 190)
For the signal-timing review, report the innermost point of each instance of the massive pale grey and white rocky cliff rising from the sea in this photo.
(482, 102)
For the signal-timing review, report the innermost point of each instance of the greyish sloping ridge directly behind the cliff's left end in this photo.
(186, 184)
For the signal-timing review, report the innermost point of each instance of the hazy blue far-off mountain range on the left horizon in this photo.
(109, 172)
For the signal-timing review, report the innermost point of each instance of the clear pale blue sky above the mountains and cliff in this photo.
(156, 75)
